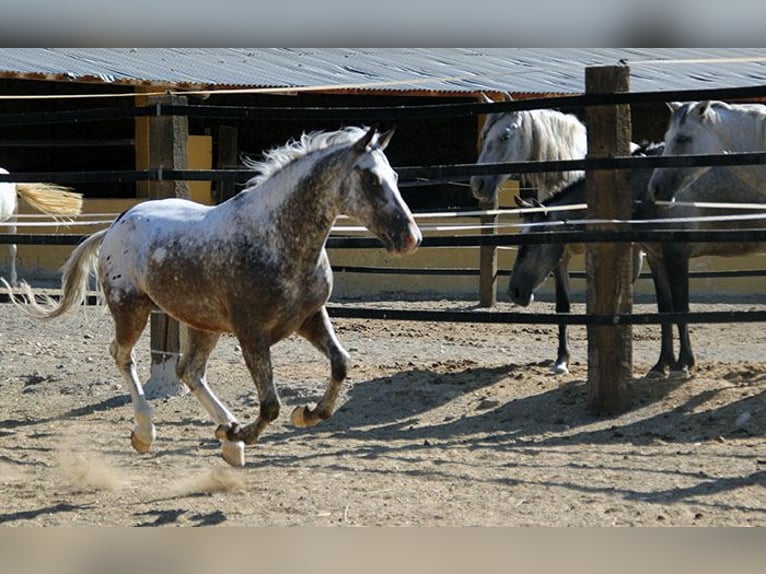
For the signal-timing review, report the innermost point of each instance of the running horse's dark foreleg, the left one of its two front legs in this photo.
(255, 351)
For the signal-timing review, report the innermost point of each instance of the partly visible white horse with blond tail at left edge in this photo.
(48, 198)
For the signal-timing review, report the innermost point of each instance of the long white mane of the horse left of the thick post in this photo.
(554, 136)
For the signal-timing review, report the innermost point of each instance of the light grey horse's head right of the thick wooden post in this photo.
(693, 129)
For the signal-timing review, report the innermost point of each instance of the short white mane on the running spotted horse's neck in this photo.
(275, 159)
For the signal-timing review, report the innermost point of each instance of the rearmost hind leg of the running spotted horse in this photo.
(130, 317)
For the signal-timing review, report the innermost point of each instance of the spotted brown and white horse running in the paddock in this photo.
(255, 266)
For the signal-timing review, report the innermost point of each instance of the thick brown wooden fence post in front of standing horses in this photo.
(608, 265)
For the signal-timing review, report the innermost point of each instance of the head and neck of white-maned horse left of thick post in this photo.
(534, 135)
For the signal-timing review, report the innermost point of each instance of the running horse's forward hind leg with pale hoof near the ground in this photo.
(191, 370)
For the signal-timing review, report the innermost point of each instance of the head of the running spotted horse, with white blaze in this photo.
(370, 194)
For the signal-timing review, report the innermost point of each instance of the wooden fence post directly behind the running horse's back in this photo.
(167, 139)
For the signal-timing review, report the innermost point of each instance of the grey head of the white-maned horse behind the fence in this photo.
(502, 140)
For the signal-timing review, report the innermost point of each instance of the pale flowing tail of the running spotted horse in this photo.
(74, 281)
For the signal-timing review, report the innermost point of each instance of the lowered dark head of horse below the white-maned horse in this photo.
(534, 262)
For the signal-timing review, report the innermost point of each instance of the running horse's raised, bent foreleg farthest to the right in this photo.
(318, 330)
